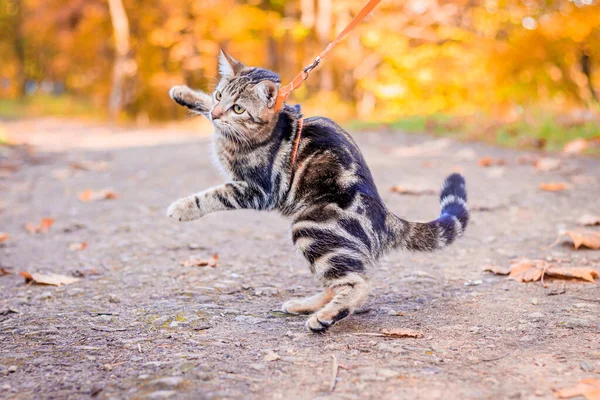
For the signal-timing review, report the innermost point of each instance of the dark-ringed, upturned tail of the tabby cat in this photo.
(437, 234)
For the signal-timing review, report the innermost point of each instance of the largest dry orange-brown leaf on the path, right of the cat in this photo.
(526, 270)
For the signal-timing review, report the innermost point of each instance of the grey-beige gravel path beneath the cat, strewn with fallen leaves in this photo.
(140, 325)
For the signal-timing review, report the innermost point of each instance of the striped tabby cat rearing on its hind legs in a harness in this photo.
(339, 221)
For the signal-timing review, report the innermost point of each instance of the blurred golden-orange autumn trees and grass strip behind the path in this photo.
(515, 72)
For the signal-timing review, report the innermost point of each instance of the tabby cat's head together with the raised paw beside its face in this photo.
(242, 106)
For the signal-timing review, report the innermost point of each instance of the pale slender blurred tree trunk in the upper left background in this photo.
(120, 24)
